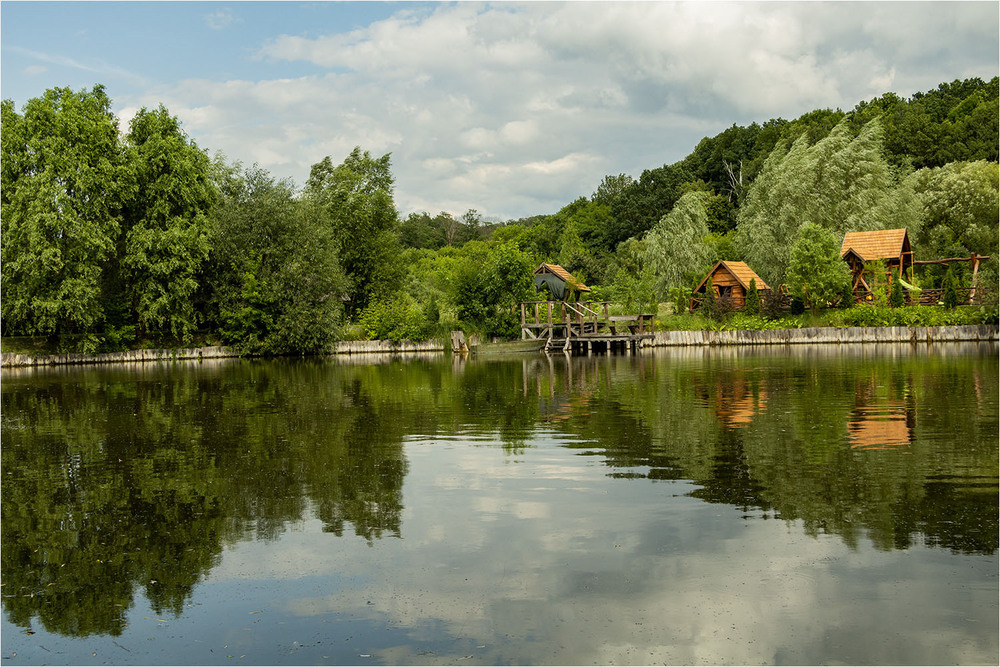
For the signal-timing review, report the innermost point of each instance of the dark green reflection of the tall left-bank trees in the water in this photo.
(118, 481)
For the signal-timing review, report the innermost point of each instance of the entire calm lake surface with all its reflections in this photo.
(803, 505)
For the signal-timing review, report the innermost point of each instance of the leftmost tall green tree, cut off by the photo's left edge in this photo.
(64, 179)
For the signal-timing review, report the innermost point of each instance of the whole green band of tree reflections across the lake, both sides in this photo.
(118, 480)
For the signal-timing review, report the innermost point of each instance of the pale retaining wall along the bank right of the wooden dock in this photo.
(984, 332)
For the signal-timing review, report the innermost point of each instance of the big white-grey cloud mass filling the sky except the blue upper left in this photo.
(517, 109)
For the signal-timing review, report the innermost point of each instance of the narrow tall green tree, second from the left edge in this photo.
(165, 238)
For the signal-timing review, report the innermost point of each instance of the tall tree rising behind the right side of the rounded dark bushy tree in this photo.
(356, 199)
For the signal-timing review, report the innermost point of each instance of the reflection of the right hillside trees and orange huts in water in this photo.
(778, 431)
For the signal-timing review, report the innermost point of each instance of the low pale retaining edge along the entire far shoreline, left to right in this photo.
(699, 338)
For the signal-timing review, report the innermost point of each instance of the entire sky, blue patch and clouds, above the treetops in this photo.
(513, 109)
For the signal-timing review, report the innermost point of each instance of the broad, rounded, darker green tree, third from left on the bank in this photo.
(278, 283)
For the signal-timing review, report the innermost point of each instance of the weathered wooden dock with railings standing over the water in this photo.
(583, 326)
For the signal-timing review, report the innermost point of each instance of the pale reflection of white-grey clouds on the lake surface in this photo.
(611, 576)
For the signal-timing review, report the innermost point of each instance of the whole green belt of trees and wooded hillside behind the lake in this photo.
(112, 237)
